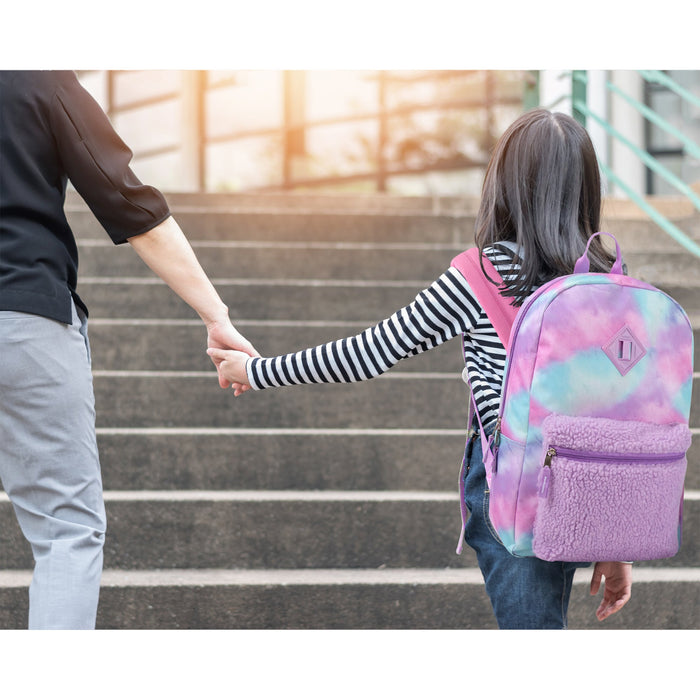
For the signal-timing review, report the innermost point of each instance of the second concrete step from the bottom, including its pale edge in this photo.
(291, 530)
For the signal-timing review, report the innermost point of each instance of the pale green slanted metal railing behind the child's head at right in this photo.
(582, 112)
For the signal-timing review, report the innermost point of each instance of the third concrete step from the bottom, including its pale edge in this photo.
(243, 459)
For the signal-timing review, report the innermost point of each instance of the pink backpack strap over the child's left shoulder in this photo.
(499, 310)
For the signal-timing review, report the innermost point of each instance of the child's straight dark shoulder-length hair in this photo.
(542, 191)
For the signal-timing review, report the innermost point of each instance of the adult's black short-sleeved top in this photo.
(52, 130)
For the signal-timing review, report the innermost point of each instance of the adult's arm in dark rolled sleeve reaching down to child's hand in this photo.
(97, 162)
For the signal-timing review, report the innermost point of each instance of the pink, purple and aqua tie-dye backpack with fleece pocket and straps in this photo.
(588, 458)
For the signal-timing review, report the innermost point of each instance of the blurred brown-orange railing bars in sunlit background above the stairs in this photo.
(291, 131)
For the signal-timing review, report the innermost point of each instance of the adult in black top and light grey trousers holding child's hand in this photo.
(52, 130)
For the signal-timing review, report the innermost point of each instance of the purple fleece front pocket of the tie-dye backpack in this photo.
(609, 490)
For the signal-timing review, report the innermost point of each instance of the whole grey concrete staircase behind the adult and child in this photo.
(310, 507)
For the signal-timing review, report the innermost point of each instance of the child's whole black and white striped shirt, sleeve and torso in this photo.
(443, 310)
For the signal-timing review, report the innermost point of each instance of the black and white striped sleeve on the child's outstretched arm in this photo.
(438, 313)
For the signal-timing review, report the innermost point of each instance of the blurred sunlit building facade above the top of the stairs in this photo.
(402, 132)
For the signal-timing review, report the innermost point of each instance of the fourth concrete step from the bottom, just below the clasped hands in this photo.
(394, 400)
